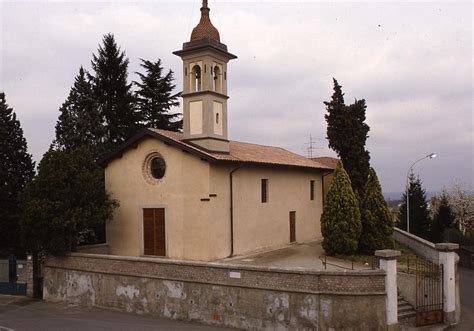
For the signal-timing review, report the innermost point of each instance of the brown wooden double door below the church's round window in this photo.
(154, 234)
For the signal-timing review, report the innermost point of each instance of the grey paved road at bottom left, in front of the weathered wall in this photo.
(21, 314)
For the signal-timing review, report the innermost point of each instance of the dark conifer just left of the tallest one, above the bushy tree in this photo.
(80, 123)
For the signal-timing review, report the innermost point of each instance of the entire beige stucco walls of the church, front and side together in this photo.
(196, 196)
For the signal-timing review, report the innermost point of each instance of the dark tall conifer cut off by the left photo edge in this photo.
(16, 170)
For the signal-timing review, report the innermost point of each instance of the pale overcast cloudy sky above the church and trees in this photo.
(411, 61)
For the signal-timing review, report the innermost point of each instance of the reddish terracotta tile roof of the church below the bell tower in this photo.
(241, 152)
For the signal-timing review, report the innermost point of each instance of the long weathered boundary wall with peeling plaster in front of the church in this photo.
(226, 295)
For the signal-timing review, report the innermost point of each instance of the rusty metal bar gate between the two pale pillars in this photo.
(429, 293)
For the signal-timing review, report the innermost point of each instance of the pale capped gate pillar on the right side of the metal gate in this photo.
(447, 257)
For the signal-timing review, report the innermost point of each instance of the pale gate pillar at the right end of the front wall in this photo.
(388, 262)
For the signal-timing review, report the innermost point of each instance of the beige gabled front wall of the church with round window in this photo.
(186, 181)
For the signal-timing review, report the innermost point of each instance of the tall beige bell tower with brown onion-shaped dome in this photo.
(204, 94)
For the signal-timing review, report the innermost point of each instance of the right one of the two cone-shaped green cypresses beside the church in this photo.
(377, 222)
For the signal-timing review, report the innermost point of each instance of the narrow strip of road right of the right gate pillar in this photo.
(467, 300)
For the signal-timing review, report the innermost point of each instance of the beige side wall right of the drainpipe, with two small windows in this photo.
(260, 225)
